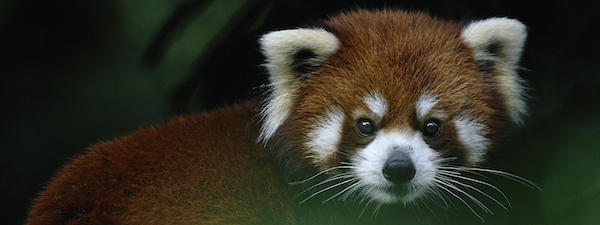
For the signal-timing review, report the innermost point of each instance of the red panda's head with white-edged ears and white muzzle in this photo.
(391, 97)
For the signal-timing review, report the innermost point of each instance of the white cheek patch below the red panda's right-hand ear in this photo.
(472, 135)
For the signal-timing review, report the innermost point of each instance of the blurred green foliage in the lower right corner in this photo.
(571, 185)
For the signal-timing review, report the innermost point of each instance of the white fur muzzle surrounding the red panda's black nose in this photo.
(369, 164)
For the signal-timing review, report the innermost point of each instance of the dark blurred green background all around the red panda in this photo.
(78, 72)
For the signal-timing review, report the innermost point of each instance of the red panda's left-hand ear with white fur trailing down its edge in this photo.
(290, 54)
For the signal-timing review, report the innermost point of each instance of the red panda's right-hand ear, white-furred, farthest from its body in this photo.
(497, 44)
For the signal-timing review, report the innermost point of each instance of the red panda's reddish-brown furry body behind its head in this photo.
(202, 169)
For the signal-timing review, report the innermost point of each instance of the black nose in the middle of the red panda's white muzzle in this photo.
(399, 168)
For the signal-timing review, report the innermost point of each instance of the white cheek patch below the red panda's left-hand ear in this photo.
(326, 135)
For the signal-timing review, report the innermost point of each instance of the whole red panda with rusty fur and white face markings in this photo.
(388, 106)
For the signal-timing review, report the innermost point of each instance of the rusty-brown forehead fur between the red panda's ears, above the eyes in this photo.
(400, 56)
